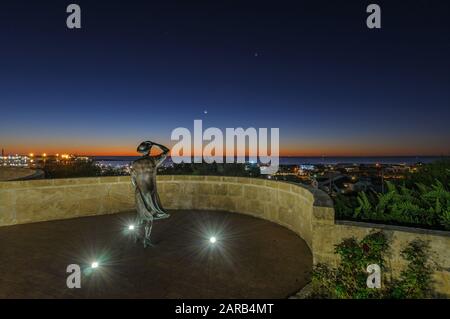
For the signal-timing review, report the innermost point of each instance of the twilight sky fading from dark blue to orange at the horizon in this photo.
(138, 69)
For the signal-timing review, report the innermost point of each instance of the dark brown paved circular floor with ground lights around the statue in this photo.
(252, 258)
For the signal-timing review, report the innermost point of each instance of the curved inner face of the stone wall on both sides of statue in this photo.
(286, 204)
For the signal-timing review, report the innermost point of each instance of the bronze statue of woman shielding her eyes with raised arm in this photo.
(143, 177)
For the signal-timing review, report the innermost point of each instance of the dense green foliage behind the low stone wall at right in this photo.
(423, 199)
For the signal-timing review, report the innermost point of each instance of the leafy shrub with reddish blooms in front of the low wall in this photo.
(349, 279)
